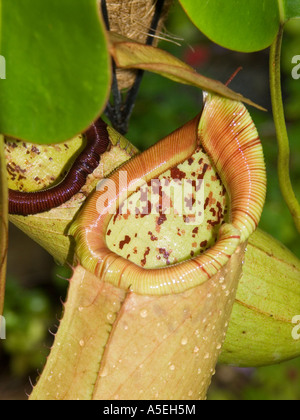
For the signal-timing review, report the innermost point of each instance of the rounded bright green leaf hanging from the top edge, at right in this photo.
(246, 26)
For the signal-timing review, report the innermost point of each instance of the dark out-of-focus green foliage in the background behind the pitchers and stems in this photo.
(36, 286)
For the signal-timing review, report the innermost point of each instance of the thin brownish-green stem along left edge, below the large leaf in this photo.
(3, 223)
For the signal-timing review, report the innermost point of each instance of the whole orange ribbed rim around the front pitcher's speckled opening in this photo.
(228, 135)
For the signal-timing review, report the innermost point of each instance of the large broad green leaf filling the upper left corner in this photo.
(57, 68)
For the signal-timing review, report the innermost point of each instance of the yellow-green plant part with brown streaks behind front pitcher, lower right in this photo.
(267, 300)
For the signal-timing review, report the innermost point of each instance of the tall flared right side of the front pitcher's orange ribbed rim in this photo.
(230, 138)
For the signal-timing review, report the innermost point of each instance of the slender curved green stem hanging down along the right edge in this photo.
(281, 129)
